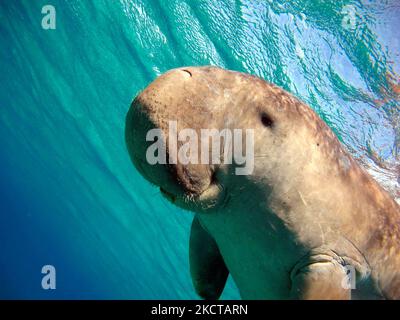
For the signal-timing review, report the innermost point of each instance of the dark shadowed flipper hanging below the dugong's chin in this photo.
(207, 268)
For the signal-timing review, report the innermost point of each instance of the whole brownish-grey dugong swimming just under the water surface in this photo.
(291, 229)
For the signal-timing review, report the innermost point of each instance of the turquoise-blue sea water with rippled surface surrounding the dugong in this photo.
(70, 196)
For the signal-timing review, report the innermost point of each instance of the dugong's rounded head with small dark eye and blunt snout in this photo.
(254, 117)
